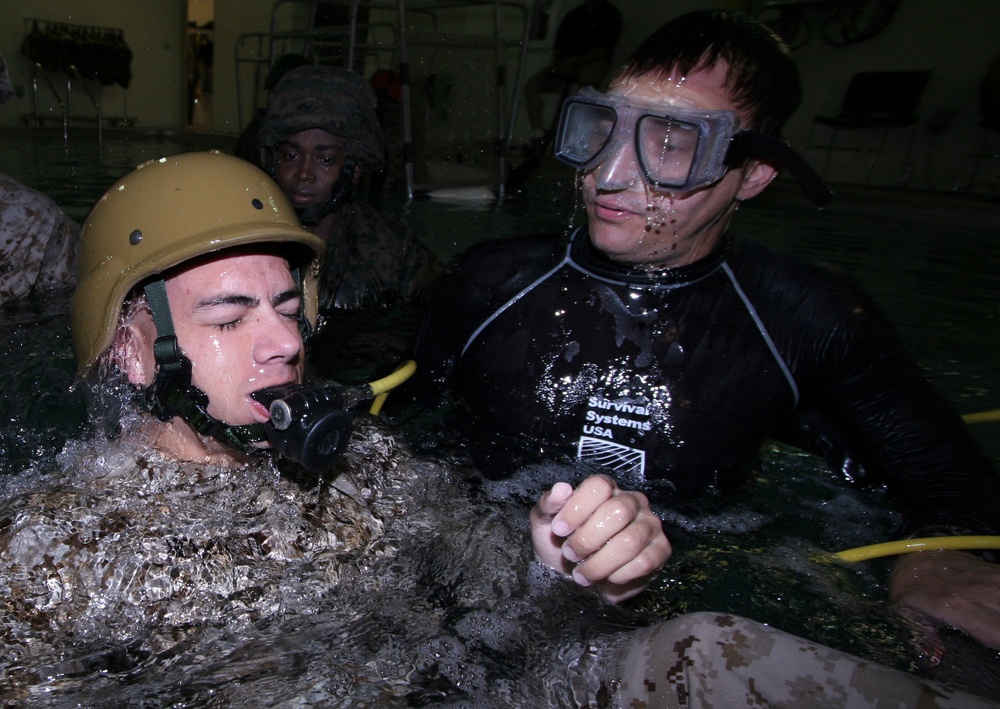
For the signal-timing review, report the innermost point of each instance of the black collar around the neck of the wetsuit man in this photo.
(582, 255)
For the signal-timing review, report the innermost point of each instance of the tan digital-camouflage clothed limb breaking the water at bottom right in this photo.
(706, 660)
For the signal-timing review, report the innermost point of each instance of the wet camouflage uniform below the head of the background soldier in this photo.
(374, 261)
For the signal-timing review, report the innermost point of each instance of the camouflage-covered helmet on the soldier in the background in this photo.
(337, 100)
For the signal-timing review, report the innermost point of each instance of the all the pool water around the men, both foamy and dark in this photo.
(431, 608)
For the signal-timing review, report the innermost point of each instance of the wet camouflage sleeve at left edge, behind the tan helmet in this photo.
(37, 242)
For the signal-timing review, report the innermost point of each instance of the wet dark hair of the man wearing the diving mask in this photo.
(763, 79)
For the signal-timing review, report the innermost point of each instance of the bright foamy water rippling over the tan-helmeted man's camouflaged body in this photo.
(133, 579)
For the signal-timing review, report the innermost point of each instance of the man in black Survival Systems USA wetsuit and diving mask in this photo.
(664, 349)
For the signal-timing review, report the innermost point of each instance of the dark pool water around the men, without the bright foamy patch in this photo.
(929, 259)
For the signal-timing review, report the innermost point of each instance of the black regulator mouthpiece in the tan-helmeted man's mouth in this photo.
(309, 425)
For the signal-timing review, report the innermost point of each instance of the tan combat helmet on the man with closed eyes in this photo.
(166, 212)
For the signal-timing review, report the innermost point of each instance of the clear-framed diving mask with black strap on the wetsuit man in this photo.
(677, 149)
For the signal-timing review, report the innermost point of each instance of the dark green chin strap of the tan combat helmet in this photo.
(172, 393)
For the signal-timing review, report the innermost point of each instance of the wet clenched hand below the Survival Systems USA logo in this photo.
(600, 535)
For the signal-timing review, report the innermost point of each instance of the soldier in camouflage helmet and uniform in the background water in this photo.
(320, 135)
